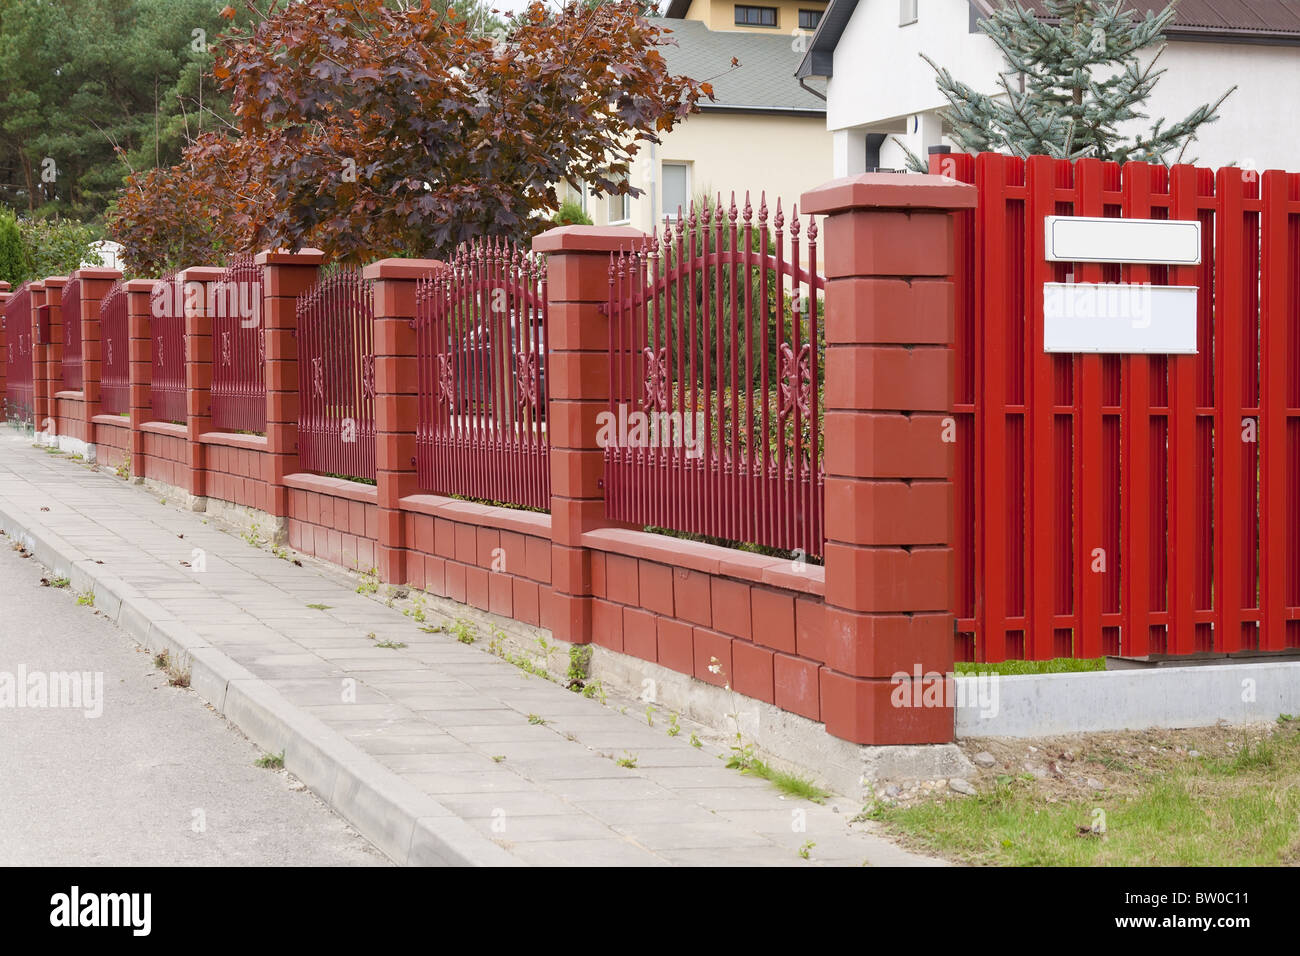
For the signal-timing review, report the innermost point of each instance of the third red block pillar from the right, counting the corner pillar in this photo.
(397, 377)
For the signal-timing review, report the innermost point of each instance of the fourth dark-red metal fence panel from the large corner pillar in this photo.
(239, 351)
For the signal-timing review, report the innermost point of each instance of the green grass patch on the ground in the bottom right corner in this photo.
(1238, 810)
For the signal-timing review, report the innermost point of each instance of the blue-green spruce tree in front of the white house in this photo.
(1073, 79)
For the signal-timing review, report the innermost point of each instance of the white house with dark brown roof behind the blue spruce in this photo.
(881, 90)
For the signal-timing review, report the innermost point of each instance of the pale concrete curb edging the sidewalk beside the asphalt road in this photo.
(408, 825)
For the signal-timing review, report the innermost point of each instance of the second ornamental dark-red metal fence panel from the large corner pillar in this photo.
(483, 356)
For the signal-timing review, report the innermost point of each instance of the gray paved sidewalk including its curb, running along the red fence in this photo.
(445, 754)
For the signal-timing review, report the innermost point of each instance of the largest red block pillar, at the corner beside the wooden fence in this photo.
(889, 252)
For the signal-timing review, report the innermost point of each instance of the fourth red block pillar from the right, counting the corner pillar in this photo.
(285, 278)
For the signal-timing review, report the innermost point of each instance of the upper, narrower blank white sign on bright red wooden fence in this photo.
(1143, 241)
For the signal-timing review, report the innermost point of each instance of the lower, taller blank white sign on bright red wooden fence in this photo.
(1119, 318)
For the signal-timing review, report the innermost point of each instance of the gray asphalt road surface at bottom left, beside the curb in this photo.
(155, 778)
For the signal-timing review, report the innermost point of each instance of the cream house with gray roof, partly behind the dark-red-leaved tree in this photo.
(764, 132)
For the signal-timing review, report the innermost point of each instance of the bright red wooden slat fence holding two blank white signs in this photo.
(1128, 504)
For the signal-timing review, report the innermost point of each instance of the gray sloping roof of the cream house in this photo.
(765, 80)
